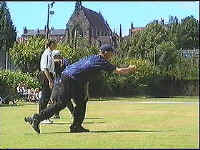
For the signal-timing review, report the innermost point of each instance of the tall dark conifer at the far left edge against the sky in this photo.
(7, 29)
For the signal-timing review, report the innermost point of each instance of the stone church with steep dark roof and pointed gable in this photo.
(90, 24)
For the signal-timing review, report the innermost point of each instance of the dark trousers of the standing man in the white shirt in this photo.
(46, 91)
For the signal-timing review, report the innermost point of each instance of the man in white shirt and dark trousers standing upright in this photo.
(46, 75)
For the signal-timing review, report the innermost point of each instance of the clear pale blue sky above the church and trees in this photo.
(33, 14)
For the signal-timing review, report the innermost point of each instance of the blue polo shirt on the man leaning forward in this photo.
(88, 68)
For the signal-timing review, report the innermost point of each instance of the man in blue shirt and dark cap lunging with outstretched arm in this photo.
(74, 81)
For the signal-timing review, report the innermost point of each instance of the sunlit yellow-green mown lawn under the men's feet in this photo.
(113, 122)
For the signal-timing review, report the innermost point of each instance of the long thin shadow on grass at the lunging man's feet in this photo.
(112, 131)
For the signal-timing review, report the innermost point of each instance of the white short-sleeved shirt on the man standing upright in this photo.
(47, 61)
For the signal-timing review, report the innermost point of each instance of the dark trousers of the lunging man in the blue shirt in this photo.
(69, 89)
